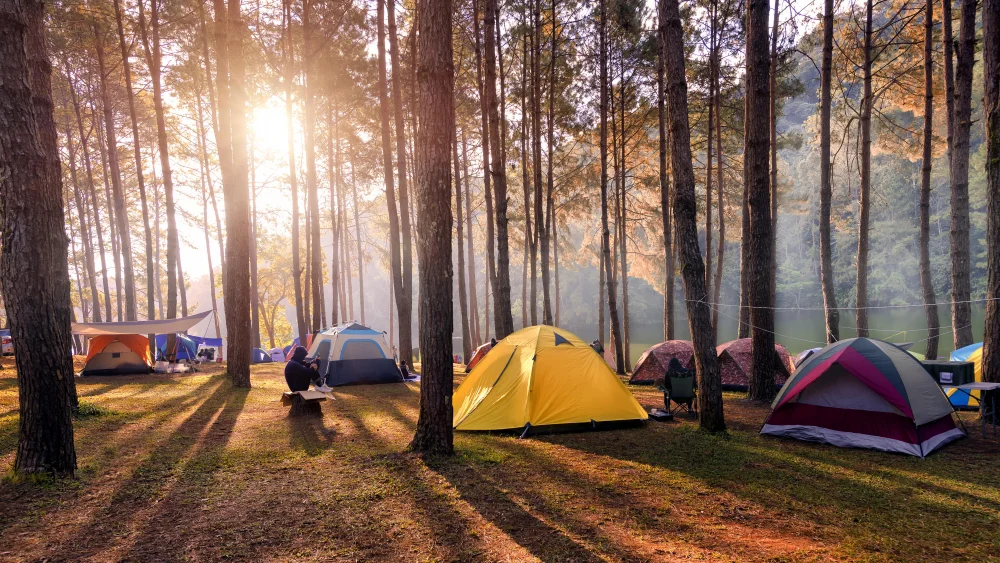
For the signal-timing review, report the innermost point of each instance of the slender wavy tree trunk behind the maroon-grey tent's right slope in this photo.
(926, 282)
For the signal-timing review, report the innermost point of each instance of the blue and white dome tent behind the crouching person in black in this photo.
(353, 354)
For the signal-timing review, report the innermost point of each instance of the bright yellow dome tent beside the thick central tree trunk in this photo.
(542, 376)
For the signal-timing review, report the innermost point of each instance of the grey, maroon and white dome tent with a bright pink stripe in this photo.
(864, 393)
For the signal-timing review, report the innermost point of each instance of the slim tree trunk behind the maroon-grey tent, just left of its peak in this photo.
(832, 314)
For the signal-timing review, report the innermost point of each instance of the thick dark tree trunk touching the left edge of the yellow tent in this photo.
(435, 83)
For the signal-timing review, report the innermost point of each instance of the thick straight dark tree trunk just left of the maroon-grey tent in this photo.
(755, 171)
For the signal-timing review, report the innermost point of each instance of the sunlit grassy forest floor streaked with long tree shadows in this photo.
(186, 468)
